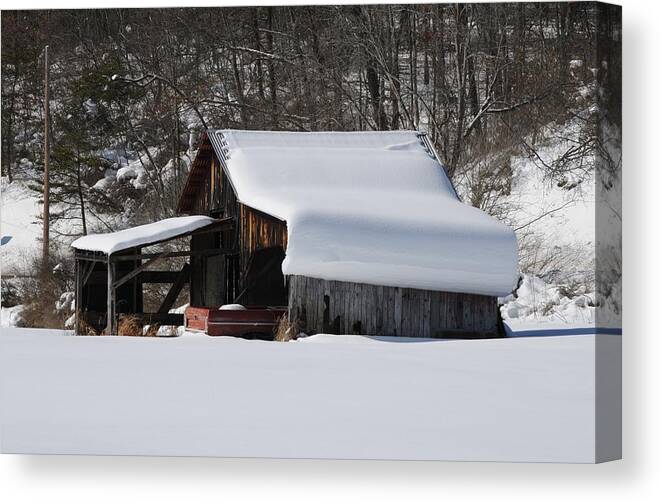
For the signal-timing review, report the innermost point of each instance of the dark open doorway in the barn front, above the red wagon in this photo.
(264, 281)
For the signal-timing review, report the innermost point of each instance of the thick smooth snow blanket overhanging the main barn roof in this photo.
(369, 207)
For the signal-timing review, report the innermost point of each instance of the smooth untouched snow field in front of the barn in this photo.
(518, 399)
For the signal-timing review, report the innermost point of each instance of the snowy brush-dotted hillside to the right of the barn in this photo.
(551, 205)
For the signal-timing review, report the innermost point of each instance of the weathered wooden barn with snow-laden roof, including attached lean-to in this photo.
(355, 232)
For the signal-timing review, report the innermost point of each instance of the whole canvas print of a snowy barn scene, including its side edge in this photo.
(357, 231)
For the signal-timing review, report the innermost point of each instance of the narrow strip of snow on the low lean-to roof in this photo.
(142, 235)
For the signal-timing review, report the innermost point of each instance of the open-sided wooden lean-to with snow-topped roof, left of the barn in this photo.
(112, 269)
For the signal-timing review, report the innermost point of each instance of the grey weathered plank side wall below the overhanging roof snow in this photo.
(357, 308)
